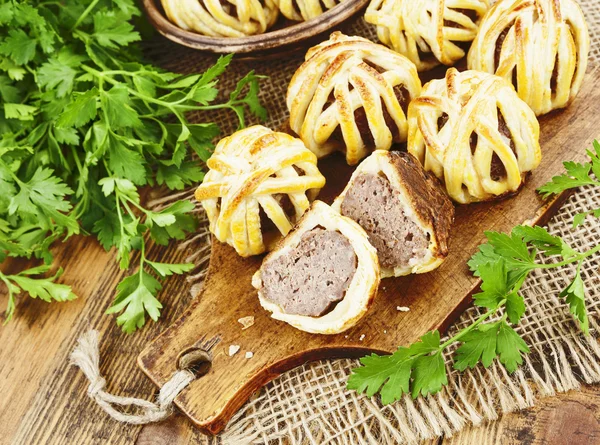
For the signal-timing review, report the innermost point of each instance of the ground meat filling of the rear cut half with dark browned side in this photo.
(373, 204)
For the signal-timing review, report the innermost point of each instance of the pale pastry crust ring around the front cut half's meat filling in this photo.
(362, 288)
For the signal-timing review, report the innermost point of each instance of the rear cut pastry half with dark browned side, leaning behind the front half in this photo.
(403, 209)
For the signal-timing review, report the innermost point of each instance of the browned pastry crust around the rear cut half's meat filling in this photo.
(423, 201)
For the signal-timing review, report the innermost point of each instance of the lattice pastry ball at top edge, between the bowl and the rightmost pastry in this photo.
(428, 32)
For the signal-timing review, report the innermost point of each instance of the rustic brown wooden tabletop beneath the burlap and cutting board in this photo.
(43, 399)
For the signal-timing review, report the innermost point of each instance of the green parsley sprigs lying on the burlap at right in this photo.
(503, 264)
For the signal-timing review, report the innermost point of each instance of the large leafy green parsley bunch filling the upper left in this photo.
(83, 125)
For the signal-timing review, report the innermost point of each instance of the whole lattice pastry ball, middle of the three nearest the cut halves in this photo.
(351, 95)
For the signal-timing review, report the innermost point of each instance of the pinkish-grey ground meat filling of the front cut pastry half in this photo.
(313, 277)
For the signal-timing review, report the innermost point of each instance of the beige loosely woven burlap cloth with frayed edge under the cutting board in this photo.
(310, 403)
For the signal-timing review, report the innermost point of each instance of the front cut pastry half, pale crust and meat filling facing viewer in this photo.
(323, 276)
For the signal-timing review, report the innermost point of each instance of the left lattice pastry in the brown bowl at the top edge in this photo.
(227, 18)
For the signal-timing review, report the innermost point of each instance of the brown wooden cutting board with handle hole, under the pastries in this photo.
(435, 299)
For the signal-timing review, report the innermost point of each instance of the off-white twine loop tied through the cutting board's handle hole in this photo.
(86, 356)
